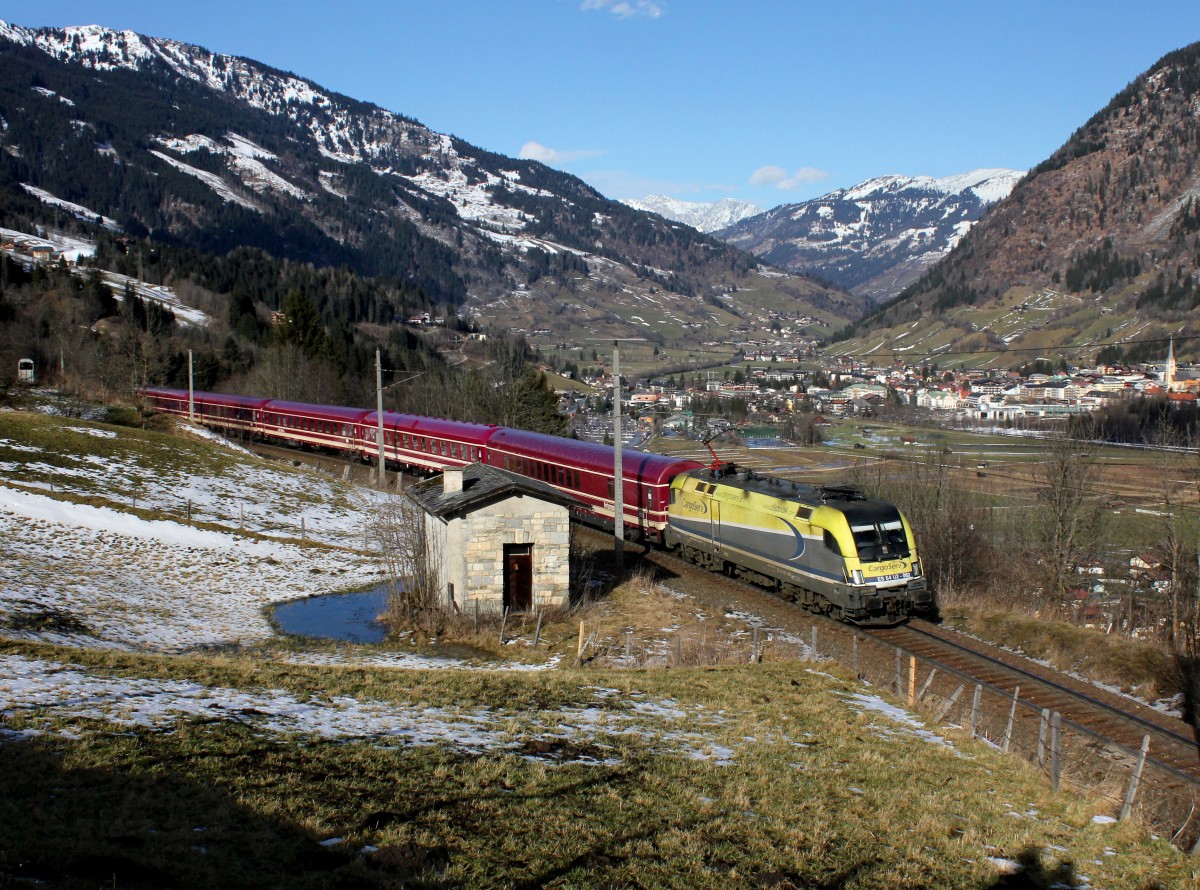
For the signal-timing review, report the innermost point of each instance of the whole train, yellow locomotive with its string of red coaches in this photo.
(830, 549)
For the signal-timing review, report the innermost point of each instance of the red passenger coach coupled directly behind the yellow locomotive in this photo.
(585, 470)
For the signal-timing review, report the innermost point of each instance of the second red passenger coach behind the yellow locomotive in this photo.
(427, 443)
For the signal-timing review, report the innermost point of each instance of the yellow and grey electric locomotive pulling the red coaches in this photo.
(827, 548)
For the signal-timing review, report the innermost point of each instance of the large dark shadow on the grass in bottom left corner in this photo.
(147, 826)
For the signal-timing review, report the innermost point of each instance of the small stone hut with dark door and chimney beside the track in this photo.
(503, 540)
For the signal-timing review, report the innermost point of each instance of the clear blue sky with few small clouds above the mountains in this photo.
(765, 101)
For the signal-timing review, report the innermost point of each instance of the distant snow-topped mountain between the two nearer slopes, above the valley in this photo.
(878, 237)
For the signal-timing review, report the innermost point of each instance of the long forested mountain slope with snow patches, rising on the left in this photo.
(176, 142)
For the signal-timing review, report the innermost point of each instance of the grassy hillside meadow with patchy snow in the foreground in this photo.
(157, 731)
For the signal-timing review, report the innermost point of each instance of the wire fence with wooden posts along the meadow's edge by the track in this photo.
(1127, 781)
